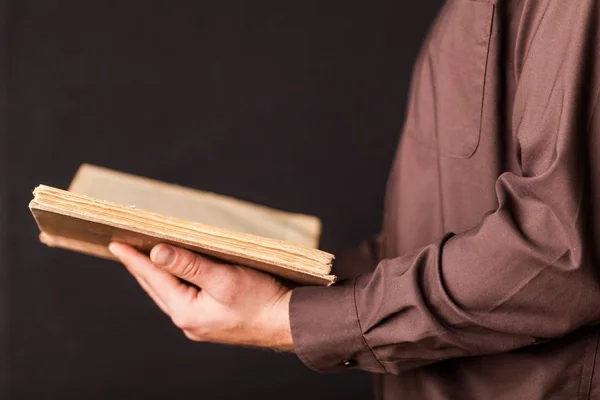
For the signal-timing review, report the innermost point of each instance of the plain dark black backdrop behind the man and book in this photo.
(295, 105)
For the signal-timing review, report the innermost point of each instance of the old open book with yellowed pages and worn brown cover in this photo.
(103, 205)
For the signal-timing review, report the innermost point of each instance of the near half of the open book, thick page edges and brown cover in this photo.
(81, 223)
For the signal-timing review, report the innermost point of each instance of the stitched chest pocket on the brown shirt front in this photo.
(446, 97)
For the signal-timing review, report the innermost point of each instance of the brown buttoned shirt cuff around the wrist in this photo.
(326, 331)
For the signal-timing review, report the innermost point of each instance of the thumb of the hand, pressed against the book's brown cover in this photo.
(191, 267)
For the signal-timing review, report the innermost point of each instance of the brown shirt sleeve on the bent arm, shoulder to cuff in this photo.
(526, 272)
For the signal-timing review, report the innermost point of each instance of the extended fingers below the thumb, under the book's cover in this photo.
(160, 285)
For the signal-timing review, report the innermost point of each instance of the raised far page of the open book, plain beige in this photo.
(195, 205)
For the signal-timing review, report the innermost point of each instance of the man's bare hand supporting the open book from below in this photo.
(210, 301)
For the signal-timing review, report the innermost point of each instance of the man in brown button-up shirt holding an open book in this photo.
(484, 283)
